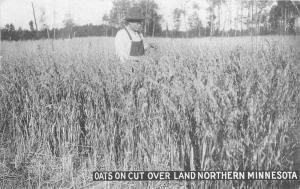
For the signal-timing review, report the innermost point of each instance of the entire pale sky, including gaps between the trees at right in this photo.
(19, 12)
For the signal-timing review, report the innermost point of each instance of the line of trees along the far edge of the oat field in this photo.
(252, 18)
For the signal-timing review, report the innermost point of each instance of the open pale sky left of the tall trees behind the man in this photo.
(19, 12)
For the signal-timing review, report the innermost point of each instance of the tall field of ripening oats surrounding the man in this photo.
(69, 107)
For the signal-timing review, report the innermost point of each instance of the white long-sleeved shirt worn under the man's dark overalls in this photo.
(123, 43)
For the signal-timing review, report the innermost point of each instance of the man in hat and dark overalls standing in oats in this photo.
(129, 42)
